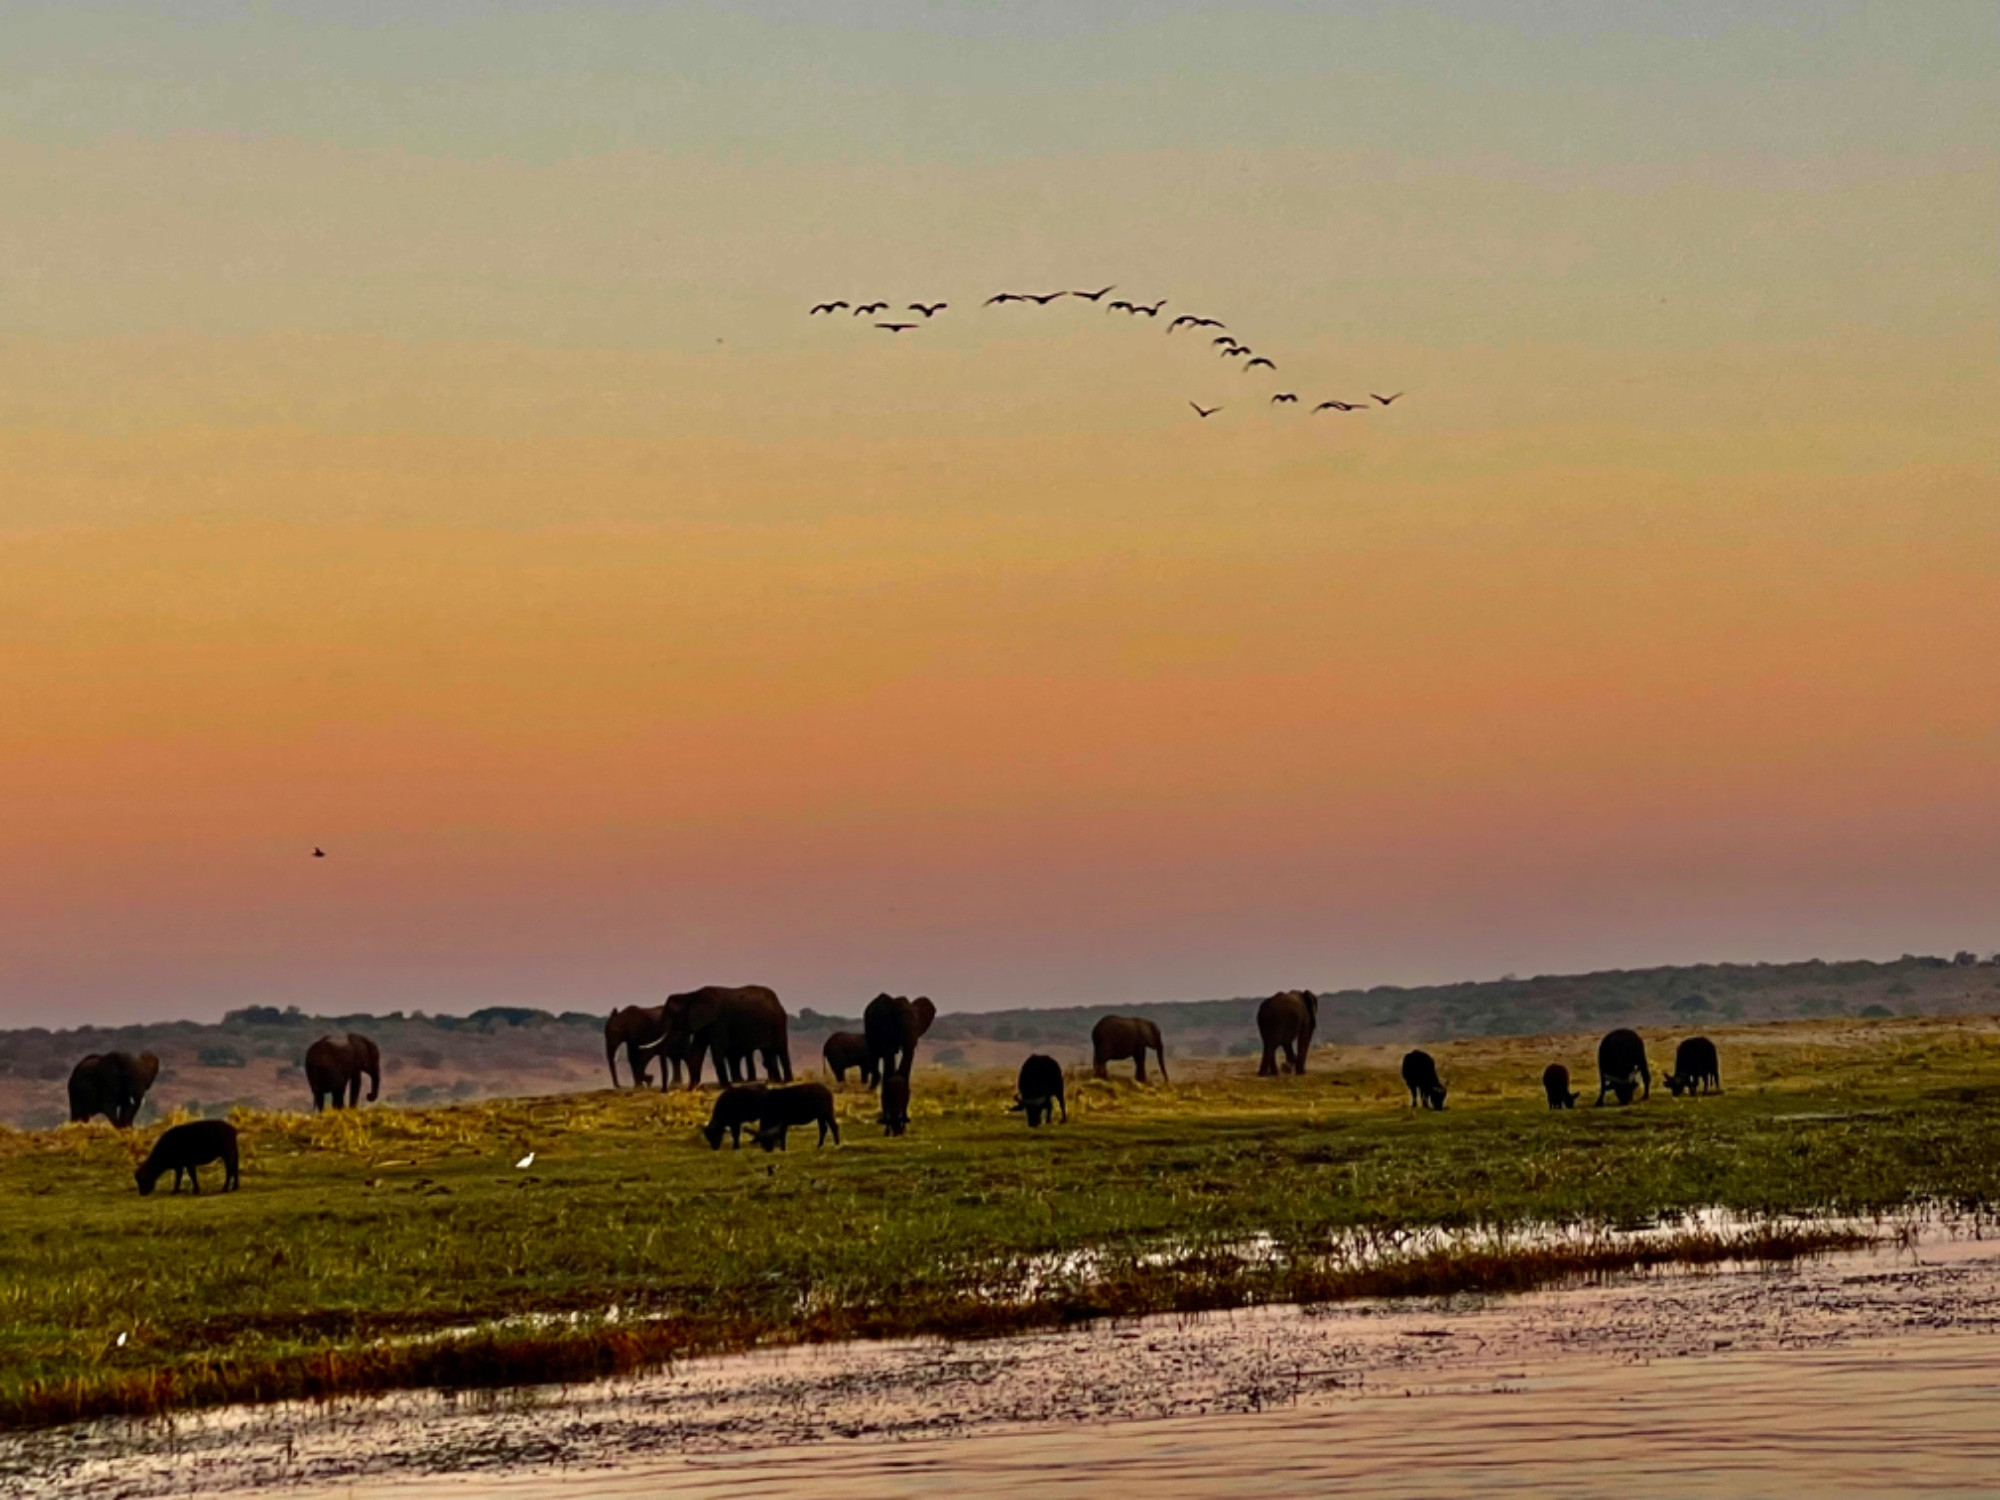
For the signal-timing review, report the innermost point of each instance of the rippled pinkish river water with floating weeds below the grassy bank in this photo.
(1865, 1373)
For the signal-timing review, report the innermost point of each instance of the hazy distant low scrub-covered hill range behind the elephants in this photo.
(253, 1057)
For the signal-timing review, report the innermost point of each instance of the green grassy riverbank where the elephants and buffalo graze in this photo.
(401, 1247)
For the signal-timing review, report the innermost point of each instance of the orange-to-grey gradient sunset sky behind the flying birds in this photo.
(413, 443)
